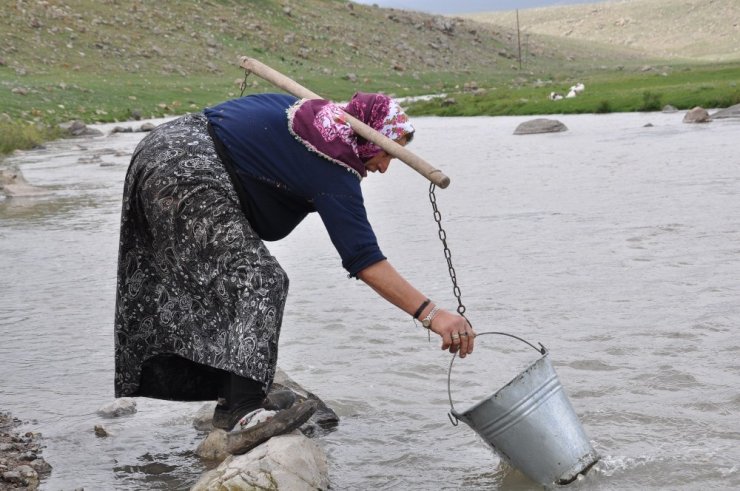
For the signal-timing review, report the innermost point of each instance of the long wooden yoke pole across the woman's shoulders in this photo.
(370, 134)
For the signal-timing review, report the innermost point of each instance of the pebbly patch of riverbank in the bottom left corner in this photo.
(21, 465)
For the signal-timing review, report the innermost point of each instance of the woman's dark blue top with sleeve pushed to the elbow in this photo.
(282, 181)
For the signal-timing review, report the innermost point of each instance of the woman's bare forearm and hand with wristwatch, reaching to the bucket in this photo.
(384, 279)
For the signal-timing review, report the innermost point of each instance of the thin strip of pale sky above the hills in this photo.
(468, 6)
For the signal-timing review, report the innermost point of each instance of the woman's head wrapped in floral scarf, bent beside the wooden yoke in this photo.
(384, 115)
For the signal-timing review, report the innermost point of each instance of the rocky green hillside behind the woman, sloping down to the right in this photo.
(106, 60)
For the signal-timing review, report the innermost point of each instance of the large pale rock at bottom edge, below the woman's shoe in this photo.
(287, 462)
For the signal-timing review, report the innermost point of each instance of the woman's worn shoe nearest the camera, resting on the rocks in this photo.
(242, 440)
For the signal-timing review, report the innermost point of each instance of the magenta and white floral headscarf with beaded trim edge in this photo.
(321, 126)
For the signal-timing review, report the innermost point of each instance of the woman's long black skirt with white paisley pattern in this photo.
(198, 295)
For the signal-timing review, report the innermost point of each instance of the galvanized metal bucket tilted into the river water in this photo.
(531, 424)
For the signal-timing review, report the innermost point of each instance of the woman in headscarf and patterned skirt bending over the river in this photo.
(200, 299)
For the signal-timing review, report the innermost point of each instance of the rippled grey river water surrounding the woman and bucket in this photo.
(615, 245)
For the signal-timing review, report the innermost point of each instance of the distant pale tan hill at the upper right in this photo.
(698, 30)
